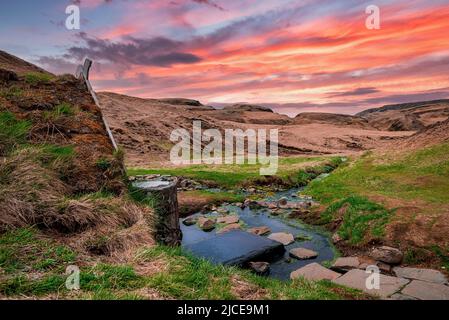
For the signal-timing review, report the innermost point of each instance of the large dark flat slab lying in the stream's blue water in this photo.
(236, 248)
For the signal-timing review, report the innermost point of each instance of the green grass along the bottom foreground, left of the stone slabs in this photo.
(175, 275)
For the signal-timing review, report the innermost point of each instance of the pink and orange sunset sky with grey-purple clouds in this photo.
(292, 55)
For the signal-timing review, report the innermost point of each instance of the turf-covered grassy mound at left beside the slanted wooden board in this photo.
(63, 197)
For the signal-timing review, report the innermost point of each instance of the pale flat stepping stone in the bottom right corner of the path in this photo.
(426, 290)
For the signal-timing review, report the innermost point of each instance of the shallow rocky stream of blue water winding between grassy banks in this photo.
(310, 237)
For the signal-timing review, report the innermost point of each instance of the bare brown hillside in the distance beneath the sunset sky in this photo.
(134, 121)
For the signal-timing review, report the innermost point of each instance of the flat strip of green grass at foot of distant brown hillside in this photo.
(293, 170)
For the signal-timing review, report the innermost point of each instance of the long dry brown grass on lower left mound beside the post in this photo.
(32, 194)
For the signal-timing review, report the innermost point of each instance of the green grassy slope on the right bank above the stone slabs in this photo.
(420, 175)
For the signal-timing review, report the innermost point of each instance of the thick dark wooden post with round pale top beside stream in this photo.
(164, 193)
